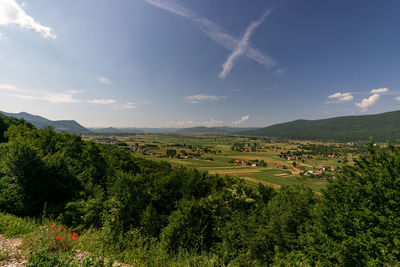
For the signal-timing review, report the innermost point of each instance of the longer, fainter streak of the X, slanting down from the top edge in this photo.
(214, 31)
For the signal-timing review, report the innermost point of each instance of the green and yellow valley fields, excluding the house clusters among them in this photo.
(219, 149)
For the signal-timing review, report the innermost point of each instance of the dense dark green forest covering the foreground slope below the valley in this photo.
(131, 208)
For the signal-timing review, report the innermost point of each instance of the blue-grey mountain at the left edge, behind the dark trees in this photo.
(69, 126)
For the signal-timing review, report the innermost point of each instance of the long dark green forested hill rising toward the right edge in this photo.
(382, 127)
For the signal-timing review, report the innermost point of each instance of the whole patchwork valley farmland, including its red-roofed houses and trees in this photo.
(272, 162)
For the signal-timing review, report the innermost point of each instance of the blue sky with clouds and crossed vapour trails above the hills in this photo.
(184, 63)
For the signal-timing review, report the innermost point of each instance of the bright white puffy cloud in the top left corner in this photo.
(12, 14)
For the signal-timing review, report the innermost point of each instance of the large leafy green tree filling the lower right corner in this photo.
(358, 219)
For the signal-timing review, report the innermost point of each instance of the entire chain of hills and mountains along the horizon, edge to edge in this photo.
(382, 127)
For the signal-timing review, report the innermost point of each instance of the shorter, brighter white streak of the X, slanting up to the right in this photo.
(242, 46)
